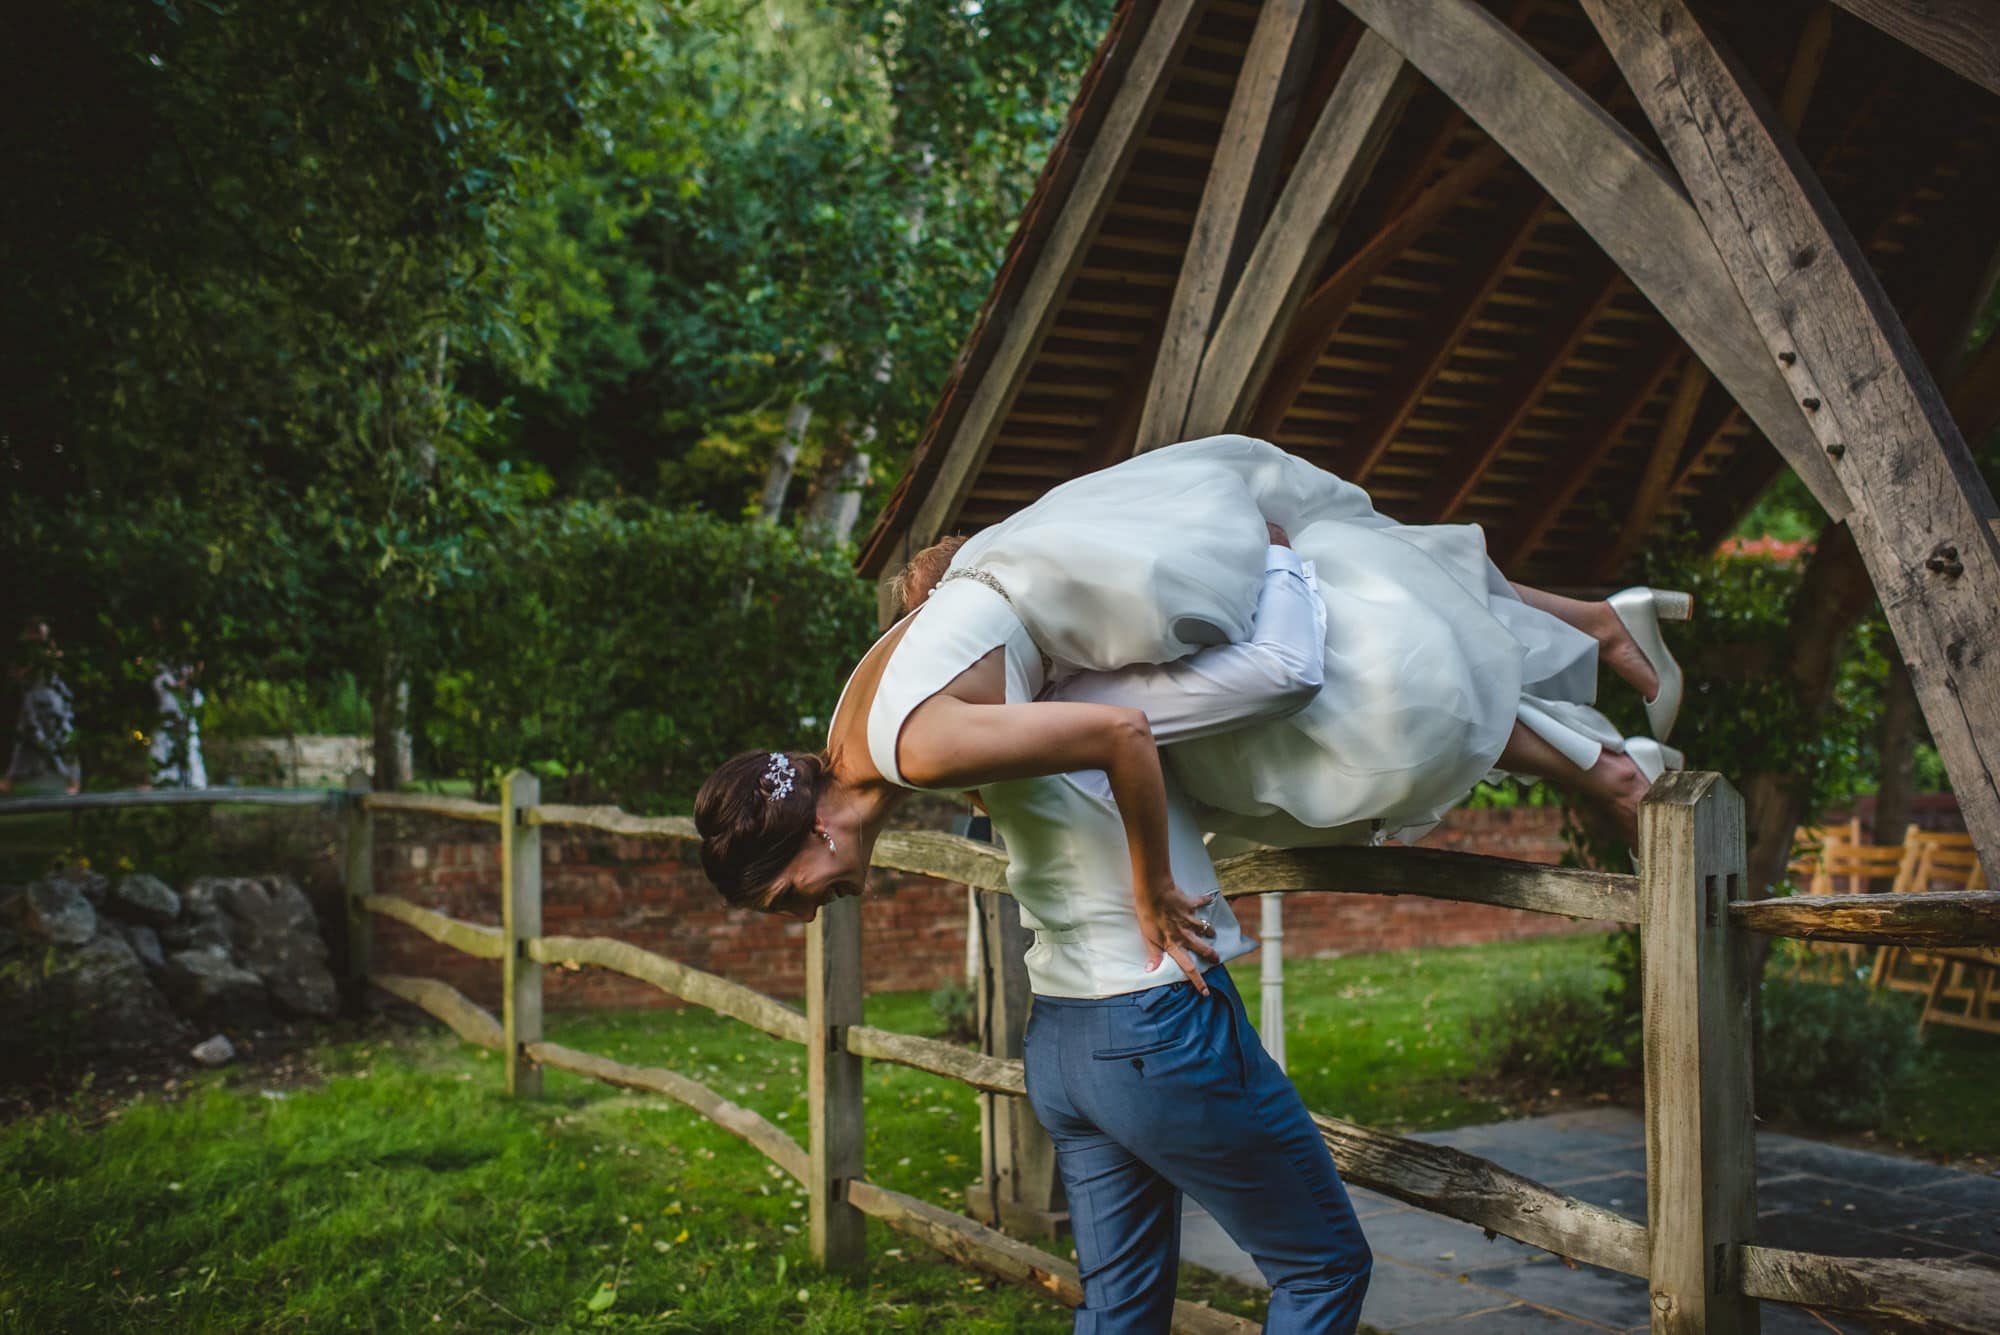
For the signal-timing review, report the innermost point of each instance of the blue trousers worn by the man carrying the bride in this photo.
(1159, 1094)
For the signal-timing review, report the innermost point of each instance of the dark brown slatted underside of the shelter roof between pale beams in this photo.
(1467, 353)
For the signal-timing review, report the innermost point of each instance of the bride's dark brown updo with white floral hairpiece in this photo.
(753, 814)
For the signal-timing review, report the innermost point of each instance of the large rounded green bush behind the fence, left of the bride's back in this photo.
(623, 651)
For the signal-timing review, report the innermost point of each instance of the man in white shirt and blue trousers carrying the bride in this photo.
(1153, 1088)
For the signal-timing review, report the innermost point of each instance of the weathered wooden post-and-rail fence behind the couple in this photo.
(1697, 1248)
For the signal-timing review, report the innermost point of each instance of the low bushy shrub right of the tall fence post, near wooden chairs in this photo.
(1833, 1056)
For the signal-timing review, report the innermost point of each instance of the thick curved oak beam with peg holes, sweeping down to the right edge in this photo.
(1923, 517)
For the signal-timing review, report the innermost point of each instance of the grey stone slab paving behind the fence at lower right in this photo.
(1439, 1276)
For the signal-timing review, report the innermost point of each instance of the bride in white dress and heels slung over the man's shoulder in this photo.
(1021, 657)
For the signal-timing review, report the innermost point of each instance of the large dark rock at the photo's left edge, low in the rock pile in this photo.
(93, 998)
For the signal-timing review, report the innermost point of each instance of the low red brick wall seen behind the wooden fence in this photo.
(651, 892)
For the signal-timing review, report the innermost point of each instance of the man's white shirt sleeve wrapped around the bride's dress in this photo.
(1275, 672)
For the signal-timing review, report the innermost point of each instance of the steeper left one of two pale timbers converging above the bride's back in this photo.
(1233, 205)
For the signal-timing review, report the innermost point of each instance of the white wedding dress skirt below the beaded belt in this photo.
(1431, 657)
